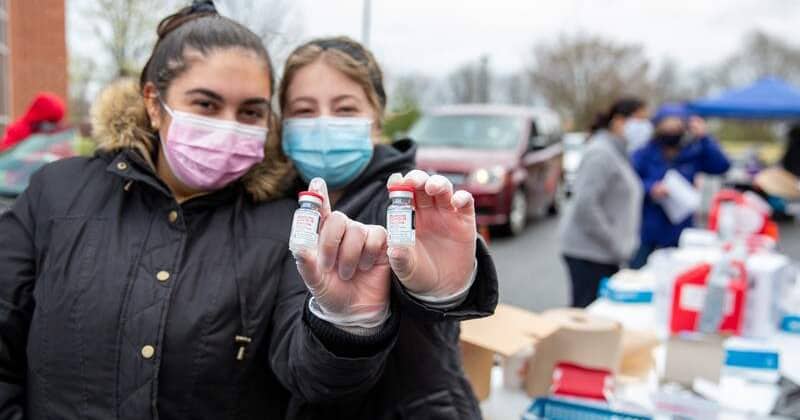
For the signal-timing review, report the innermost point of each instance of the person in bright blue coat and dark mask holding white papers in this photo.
(682, 143)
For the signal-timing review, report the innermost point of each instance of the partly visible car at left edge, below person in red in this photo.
(18, 164)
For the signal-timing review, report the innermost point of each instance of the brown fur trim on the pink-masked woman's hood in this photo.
(120, 121)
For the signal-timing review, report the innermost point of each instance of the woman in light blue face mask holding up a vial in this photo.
(332, 100)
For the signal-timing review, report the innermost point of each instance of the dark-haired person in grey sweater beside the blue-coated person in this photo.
(599, 231)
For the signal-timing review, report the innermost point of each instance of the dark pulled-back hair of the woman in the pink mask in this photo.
(197, 27)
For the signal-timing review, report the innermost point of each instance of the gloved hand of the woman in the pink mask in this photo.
(349, 274)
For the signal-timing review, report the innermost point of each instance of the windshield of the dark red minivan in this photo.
(468, 131)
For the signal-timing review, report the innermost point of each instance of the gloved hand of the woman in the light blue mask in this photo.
(442, 262)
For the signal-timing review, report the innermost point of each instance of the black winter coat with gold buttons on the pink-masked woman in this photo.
(118, 303)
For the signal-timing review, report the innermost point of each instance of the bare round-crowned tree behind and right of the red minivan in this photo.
(581, 75)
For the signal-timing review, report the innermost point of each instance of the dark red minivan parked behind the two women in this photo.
(509, 158)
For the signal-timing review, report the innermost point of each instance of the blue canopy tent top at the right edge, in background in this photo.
(766, 99)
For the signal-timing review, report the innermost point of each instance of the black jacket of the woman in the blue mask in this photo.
(423, 378)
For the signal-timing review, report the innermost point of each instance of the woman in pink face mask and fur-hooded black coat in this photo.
(154, 279)
